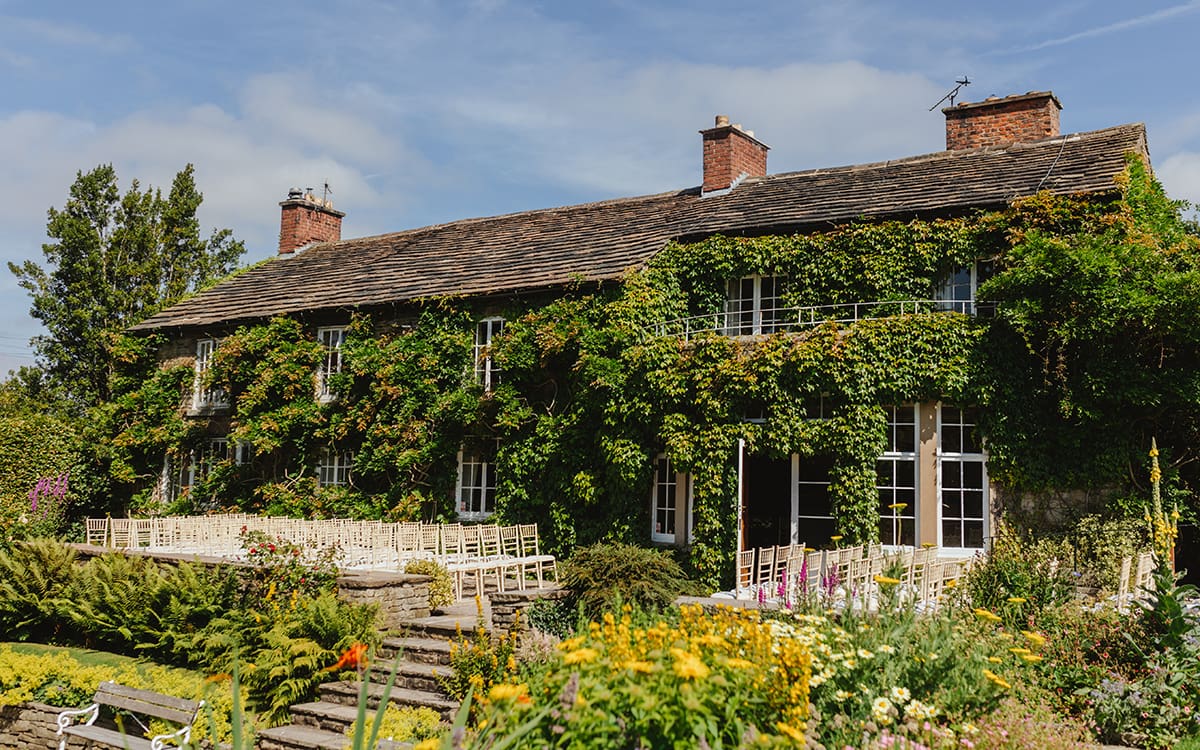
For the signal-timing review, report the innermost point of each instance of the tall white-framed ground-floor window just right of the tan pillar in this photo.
(962, 481)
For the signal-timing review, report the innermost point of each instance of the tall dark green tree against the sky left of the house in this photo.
(116, 261)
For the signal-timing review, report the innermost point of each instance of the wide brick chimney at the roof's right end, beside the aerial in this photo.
(1015, 119)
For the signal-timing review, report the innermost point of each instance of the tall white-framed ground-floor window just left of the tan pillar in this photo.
(897, 478)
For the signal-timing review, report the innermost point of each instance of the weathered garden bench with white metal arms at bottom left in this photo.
(137, 703)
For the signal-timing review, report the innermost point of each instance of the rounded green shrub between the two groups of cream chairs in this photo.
(604, 575)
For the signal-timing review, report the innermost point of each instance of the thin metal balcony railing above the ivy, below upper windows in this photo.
(794, 320)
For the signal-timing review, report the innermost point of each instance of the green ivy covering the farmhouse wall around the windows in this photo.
(1094, 349)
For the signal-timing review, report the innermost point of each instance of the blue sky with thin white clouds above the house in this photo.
(425, 112)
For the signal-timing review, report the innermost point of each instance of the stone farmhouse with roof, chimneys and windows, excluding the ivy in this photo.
(932, 477)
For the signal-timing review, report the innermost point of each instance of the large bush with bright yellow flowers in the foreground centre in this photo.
(709, 681)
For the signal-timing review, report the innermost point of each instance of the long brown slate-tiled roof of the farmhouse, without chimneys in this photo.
(544, 249)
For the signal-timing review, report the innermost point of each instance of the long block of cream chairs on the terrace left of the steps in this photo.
(507, 556)
